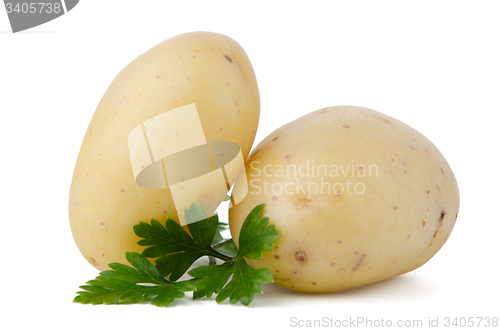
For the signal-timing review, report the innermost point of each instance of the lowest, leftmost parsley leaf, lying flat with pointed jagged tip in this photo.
(121, 285)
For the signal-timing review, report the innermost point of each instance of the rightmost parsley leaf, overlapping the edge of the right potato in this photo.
(255, 236)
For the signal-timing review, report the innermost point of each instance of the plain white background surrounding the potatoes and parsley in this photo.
(434, 65)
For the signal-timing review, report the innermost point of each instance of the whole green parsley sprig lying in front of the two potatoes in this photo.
(175, 251)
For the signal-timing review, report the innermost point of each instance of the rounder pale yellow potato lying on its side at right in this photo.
(358, 197)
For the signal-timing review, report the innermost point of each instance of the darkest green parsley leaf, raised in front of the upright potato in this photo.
(173, 247)
